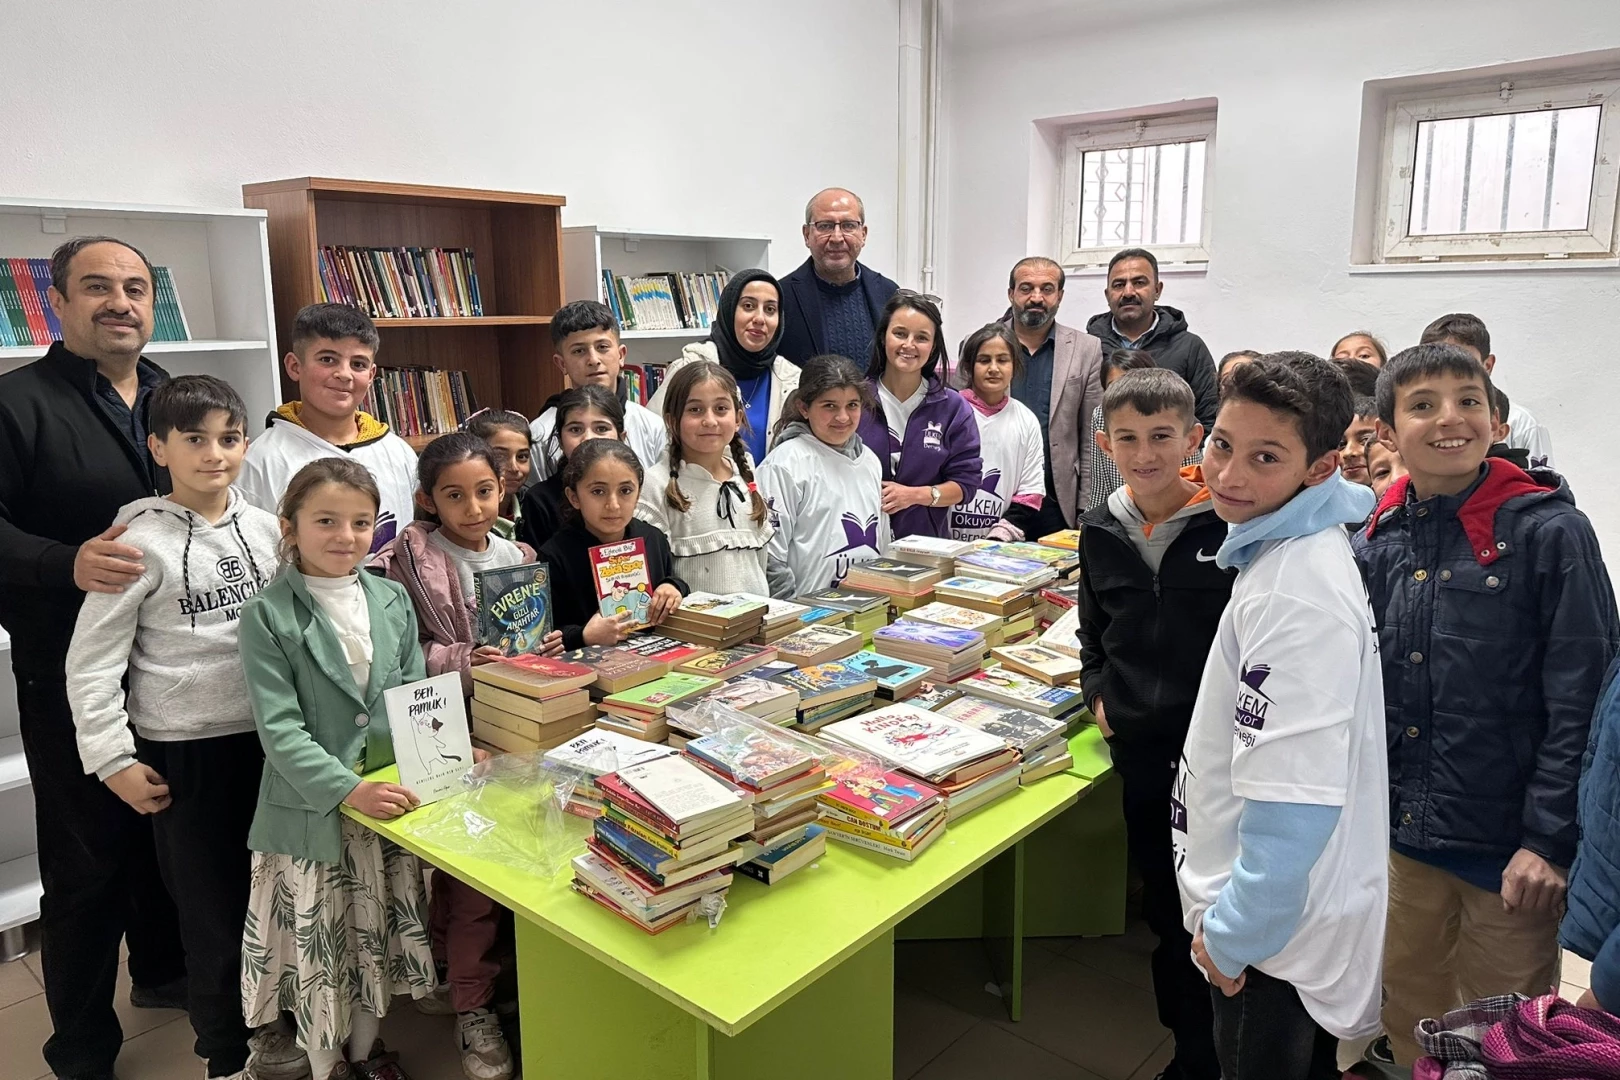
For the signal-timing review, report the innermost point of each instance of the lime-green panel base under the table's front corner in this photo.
(584, 1019)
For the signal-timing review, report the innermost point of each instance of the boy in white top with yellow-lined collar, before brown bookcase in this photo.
(333, 360)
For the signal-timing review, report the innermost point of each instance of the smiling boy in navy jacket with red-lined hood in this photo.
(1496, 626)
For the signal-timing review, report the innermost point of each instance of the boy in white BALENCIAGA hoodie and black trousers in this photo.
(194, 757)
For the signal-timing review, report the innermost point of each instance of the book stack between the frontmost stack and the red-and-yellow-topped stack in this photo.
(782, 783)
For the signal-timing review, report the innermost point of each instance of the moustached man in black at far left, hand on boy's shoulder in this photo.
(72, 453)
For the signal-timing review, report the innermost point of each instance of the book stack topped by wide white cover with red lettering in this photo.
(971, 768)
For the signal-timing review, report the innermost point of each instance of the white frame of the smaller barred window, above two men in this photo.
(1114, 135)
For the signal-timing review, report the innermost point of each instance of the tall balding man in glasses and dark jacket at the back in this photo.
(832, 304)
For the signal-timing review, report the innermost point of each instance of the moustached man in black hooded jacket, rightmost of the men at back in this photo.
(1136, 320)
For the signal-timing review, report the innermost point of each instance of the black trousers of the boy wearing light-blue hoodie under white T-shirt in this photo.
(1266, 1034)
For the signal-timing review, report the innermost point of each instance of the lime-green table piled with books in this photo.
(798, 982)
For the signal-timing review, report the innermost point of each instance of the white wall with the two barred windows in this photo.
(1289, 77)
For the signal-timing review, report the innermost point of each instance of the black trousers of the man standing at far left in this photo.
(101, 887)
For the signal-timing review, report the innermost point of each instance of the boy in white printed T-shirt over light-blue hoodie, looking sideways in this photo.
(1281, 806)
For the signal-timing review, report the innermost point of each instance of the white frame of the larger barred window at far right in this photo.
(1399, 172)
